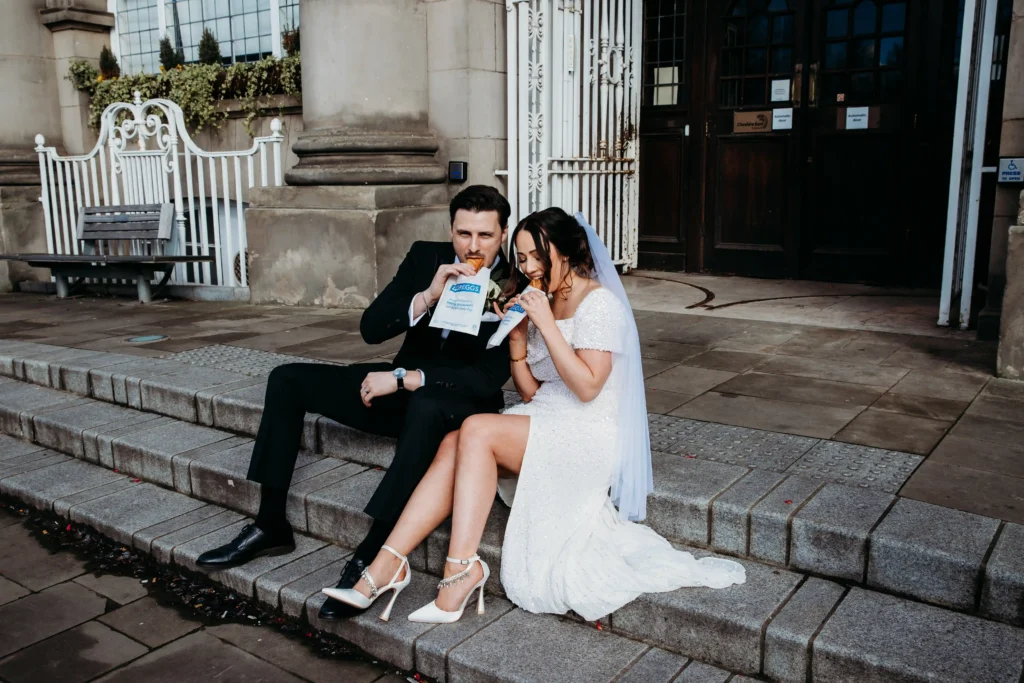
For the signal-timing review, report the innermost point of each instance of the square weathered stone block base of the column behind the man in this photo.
(336, 246)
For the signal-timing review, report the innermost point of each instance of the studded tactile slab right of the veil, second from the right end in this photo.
(745, 447)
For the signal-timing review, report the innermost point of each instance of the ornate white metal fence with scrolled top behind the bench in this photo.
(146, 156)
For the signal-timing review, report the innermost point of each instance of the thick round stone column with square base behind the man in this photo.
(368, 183)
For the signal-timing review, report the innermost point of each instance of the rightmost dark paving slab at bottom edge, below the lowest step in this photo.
(285, 653)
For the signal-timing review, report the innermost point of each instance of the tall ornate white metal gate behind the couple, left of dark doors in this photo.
(574, 109)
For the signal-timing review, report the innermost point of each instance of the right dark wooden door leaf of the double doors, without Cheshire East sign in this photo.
(863, 141)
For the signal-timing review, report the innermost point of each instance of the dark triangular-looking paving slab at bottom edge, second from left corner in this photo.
(199, 657)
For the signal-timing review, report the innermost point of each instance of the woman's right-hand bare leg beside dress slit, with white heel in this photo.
(486, 443)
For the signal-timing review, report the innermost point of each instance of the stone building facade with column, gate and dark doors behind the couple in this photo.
(777, 139)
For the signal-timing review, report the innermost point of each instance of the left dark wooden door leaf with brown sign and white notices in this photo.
(755, 166)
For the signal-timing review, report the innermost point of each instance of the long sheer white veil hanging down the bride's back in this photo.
(634, 480)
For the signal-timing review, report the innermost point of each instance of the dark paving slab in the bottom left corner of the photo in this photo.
(73, 657)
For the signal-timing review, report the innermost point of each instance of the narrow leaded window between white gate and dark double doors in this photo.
(665, 77)
